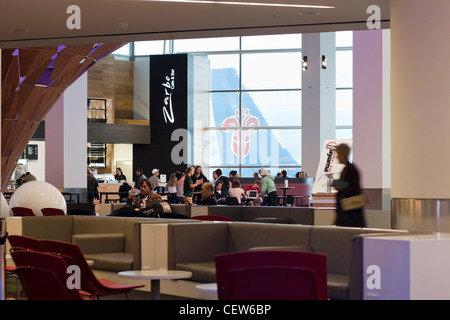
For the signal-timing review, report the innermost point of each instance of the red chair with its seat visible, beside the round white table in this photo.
(89, 282)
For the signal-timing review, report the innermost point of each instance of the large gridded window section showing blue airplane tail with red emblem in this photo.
(256, 93)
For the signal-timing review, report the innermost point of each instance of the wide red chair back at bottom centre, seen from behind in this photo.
(271, 275)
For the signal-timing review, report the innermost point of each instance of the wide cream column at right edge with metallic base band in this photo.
(420, 115)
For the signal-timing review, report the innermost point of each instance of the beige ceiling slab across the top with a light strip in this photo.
(43, 22)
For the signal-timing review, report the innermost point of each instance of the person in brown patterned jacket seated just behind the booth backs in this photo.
(140, 204)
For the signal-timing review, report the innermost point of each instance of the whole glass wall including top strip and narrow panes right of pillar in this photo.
(256, 98)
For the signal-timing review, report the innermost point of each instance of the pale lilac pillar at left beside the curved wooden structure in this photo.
(66, 140)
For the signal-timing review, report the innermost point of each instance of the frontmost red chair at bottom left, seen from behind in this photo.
(44, 276)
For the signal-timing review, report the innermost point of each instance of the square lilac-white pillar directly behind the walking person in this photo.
(371, 114)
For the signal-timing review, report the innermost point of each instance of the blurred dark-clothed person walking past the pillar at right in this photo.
(347, 186)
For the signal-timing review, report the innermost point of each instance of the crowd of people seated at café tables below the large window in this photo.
(193, 186)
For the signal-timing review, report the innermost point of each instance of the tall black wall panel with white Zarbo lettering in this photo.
(168, 116)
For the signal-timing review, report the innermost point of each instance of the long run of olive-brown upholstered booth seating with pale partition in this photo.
(117, 244)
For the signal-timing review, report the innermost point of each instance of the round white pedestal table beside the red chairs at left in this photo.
(155, 276)
